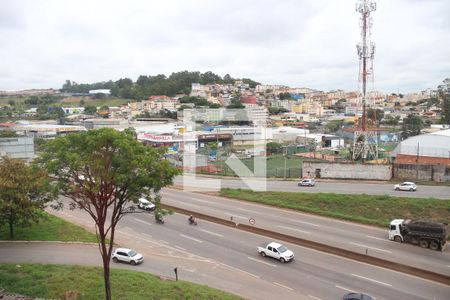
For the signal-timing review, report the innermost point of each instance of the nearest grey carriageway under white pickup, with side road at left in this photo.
(226, 258)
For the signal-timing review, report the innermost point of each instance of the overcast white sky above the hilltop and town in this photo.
(300, 43)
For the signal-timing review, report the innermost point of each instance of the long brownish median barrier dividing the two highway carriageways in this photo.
(320, 247)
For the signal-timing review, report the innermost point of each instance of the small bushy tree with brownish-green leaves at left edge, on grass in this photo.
(24, 192)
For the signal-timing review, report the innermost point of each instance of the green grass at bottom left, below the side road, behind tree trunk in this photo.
(52, 281)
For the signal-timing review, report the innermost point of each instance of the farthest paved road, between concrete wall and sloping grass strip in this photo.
(327, 186)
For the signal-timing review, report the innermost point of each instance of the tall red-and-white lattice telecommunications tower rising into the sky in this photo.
(365, 141)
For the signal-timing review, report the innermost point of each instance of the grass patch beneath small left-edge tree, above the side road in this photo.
(49, 228)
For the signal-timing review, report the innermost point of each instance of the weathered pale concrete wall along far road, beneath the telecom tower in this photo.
(346, 171)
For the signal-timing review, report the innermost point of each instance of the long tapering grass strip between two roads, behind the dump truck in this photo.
(367, 209)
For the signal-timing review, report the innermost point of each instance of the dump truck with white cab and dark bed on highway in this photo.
(425, 233)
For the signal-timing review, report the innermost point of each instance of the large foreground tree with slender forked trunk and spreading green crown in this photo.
(101, 172)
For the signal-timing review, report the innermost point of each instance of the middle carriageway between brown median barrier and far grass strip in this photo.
(346, 235)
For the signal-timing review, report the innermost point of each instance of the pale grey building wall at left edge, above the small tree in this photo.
(17, 147)
